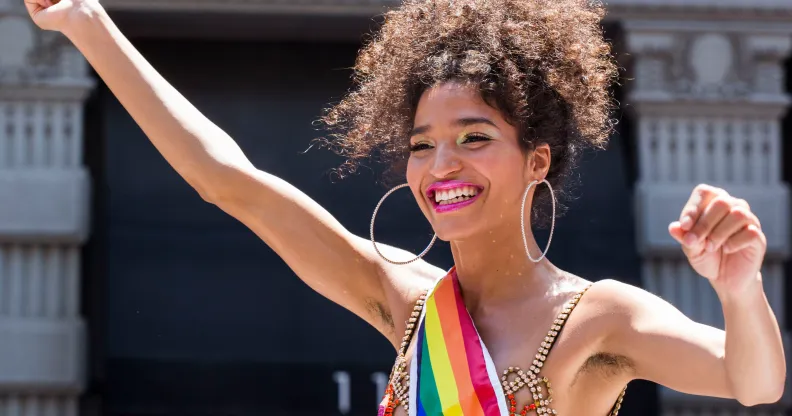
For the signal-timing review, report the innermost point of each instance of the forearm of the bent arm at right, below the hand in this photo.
(755, 362)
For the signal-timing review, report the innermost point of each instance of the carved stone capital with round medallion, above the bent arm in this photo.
(708, 65)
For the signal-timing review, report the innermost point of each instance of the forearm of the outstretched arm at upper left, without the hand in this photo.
(196, 148)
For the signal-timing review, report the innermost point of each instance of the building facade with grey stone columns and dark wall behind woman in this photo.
(123, 293)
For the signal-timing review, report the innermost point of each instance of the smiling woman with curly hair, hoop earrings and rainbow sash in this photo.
(488, 103)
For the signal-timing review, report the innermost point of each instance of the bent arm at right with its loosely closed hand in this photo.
(724, 243)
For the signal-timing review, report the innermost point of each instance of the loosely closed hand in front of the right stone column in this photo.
(721, 238)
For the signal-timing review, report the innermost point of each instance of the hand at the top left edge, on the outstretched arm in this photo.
(60, 15)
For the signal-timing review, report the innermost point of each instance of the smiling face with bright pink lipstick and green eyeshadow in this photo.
(467, 169)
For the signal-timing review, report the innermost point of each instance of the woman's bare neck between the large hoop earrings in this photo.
(494, 268)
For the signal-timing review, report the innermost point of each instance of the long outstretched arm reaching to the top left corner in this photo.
(335, 263)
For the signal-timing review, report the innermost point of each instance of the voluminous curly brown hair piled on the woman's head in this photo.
(544, 64)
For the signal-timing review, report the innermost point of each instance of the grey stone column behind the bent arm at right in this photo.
(708, 98)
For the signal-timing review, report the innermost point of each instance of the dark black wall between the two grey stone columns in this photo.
(191, 314)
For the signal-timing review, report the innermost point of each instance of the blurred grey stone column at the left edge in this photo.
(44, 195)
